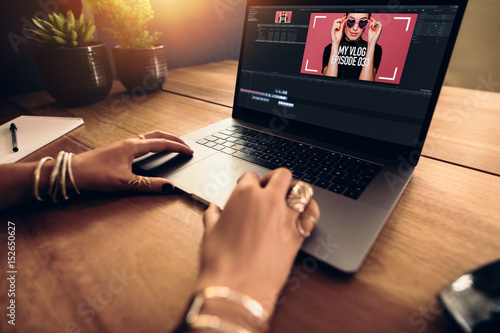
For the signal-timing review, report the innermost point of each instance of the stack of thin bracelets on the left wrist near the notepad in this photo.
(57, 181)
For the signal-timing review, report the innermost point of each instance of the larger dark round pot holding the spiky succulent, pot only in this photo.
(75, 76)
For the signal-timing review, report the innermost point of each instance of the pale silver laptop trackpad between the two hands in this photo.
(213, 178)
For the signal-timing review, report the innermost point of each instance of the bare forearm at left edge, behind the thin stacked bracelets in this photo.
(17, 182)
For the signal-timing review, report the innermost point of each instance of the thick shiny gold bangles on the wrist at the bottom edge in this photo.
(195, 320)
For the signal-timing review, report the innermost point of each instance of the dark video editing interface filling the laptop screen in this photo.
(366, 71)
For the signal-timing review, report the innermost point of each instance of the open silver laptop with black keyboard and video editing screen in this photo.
(349, 117)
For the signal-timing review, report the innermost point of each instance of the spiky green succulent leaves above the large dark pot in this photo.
(65, 31)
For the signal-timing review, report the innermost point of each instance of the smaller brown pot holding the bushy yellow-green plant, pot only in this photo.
(141, 71)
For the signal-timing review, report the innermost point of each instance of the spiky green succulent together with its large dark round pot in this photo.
(74, 70)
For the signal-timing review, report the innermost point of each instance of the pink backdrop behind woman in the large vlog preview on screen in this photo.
(395, 40)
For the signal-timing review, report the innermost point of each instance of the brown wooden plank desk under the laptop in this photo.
(127, 263)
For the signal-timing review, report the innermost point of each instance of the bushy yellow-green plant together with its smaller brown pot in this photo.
(141, 65)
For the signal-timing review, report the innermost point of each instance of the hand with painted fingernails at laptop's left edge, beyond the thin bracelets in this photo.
(109, 168)
